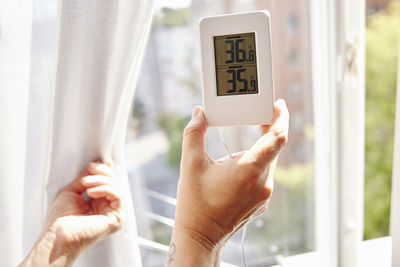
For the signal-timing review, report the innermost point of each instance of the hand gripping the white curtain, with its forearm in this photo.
(73, 224)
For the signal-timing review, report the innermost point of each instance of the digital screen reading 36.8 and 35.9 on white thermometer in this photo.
(236, 64)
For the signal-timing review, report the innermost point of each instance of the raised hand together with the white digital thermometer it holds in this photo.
(216, 198)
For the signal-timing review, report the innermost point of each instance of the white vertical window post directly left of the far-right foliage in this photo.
(350, 109)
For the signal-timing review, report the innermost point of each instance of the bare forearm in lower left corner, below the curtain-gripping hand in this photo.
(50, 250)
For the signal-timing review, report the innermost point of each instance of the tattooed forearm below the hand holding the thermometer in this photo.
(186, 250)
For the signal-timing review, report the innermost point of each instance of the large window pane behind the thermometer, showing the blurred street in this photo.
(168, 89)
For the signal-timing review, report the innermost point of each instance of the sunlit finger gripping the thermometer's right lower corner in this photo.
(268, 146)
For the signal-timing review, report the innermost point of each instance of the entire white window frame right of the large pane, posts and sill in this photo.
(338, 57)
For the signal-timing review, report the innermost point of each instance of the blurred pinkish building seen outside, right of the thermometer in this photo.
(291, 37)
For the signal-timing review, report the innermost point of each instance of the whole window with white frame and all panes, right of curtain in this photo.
(316, 216)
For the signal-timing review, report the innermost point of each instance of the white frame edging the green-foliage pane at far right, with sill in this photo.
(353, 251)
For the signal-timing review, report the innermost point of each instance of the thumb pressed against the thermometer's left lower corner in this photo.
(193, 145)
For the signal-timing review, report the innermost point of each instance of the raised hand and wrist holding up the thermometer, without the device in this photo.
(216, 198)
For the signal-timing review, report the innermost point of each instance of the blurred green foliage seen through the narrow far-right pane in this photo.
(381, 71)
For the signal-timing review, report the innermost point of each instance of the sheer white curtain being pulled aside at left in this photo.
(67, 75)
